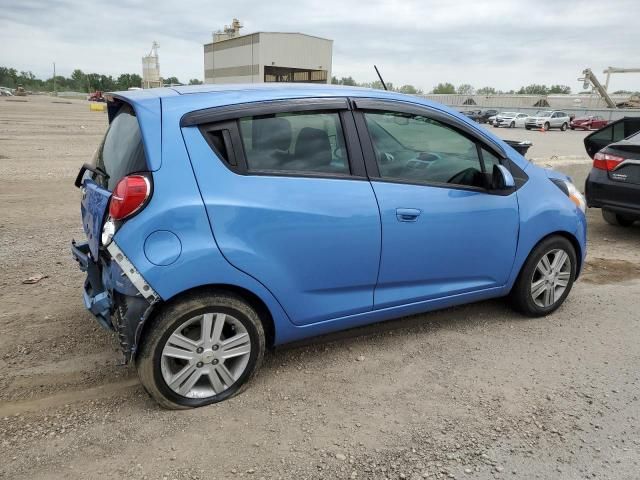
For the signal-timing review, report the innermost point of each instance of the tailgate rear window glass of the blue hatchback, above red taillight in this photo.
(121, 153)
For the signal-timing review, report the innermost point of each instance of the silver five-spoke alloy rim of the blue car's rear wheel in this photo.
(205, 355)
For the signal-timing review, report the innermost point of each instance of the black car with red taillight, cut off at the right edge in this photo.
(613, 183)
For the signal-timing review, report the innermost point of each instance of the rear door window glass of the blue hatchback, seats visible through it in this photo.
(298, 142)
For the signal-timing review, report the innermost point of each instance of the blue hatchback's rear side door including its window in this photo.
(289, 202)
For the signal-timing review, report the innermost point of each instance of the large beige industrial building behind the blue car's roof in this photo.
(266, 57)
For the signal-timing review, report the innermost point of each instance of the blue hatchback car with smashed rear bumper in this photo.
(222, 220)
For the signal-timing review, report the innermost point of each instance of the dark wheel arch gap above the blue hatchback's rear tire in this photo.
(251, 298)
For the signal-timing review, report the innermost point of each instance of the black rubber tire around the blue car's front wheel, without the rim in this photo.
(521, 297)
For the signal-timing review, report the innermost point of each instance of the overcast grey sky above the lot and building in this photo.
(500, 43)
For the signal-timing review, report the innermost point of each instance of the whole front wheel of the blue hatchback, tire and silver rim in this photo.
(546, 277)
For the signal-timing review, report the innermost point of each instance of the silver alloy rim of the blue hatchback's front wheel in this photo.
(550, 278)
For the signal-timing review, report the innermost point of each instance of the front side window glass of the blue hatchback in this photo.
(419, 149)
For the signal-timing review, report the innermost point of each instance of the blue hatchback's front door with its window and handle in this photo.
(443, 232)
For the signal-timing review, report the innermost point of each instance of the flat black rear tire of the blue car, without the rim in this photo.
(148, 361)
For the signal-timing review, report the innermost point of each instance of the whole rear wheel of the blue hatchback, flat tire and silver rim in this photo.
(200, 350)
